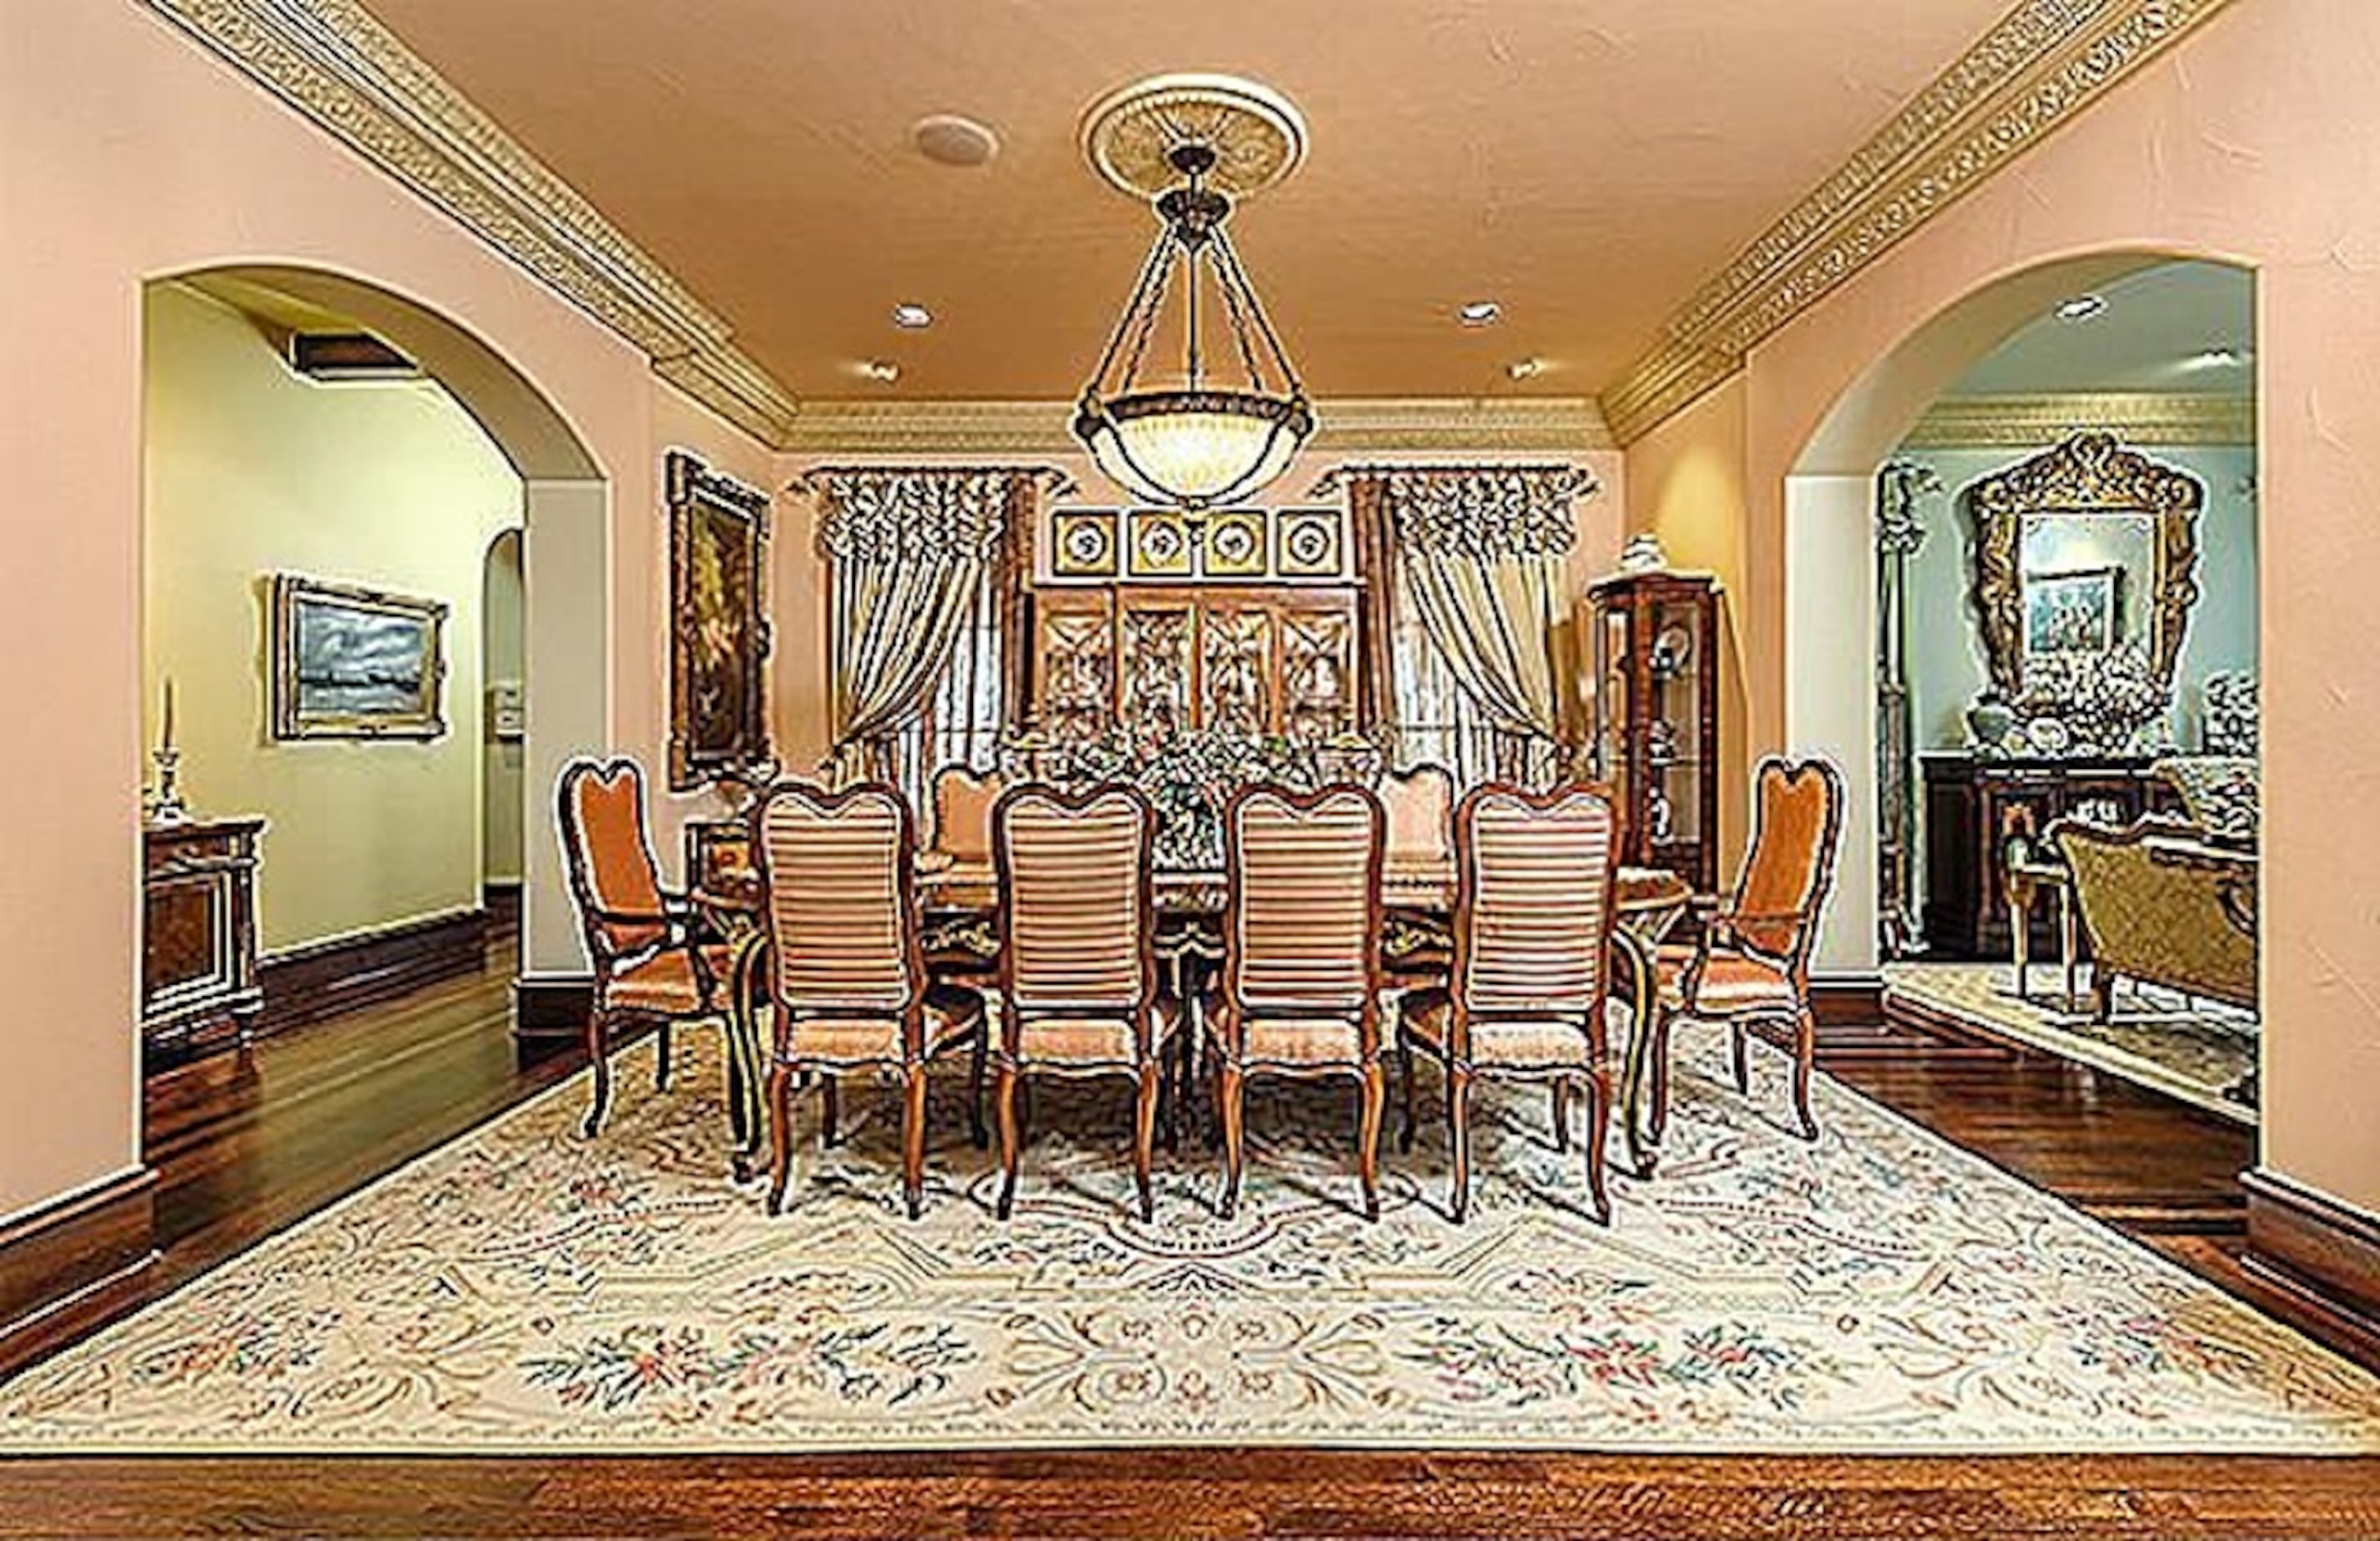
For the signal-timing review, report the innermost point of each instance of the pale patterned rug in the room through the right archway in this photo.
(2196, 1052)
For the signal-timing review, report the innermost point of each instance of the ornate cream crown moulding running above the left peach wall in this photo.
(346, 73)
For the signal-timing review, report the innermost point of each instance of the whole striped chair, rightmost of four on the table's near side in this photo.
(1532, 966)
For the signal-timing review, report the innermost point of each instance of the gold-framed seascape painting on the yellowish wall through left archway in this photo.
(353, 663)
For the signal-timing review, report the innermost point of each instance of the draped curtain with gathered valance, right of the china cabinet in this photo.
(1482, 563)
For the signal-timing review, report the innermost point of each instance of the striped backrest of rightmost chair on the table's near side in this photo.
(1534, 901)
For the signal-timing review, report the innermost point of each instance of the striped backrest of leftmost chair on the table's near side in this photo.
(837, 868)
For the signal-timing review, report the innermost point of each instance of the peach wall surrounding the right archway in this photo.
(2260, 142)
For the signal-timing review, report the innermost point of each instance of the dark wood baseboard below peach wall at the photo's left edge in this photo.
(75, 1264)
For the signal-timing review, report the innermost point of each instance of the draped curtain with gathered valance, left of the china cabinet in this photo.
(913, 554)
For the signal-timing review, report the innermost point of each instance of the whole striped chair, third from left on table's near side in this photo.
(1301, 978)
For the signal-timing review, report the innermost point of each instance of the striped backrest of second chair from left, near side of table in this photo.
(1077, 918)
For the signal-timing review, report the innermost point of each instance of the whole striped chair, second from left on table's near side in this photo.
(1077, 954)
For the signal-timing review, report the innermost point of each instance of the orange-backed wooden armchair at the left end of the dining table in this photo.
(651, 956)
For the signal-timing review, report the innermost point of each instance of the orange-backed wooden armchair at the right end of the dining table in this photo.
(1750, 963)
